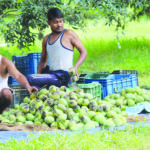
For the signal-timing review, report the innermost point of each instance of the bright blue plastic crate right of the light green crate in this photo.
(114, 83)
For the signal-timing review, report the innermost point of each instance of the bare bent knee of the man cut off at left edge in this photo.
(6, 94)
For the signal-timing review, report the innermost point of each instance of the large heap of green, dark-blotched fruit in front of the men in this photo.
(61, 108)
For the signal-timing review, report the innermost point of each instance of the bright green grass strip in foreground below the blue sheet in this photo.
(136, 138)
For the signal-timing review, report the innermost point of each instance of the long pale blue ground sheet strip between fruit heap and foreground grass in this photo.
(24, 135)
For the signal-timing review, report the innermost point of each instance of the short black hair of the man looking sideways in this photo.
(54, 13)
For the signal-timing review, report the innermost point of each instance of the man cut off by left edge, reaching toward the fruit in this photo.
(7, 68)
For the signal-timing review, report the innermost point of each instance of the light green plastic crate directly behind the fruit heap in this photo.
(92, 88)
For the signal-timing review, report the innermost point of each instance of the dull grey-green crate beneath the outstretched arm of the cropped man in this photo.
(19, 93)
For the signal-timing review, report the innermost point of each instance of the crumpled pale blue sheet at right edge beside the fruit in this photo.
(141, 107)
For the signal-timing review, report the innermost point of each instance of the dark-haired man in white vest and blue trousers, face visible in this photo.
(58, 48)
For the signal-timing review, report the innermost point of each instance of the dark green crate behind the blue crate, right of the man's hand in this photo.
(97, 75)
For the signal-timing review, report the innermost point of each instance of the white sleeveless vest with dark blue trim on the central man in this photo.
(60, 57)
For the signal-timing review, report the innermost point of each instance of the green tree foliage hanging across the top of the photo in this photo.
(22, 21)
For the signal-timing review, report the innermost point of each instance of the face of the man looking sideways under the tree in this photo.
(56, 25)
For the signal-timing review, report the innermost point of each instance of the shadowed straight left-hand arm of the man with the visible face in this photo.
(43, 60)
